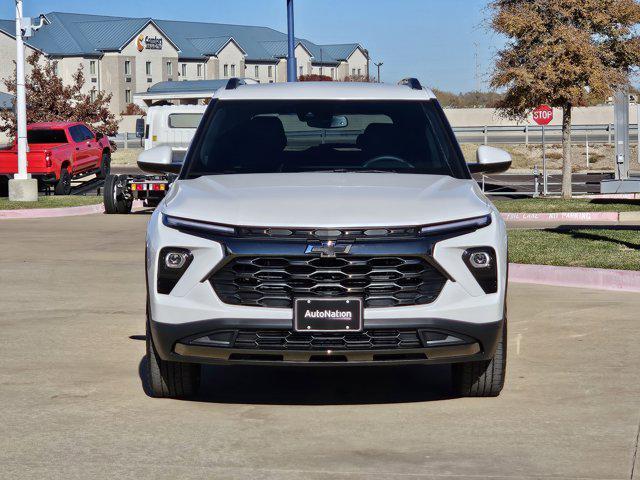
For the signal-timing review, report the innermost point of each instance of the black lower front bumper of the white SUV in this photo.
(458, 342)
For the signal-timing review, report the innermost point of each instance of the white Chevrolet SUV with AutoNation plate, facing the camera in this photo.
(325, 224)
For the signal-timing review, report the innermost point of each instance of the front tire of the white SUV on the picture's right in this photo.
(485, 378)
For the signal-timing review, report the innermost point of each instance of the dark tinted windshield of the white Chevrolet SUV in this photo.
(239, 137)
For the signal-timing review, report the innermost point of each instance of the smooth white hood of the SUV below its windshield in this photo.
(324, 200)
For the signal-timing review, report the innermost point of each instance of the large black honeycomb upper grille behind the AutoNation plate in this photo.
(268, 281)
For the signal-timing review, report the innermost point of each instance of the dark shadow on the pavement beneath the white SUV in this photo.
(320, 385)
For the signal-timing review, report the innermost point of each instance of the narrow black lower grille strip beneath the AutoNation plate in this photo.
(290, 340)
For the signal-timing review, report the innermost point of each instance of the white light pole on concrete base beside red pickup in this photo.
(22, 187)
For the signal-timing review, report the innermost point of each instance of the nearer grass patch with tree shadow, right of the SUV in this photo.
(582, 247)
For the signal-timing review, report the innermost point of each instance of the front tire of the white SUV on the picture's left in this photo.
(169, 379)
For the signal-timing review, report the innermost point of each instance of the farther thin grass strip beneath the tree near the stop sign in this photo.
(554, 205)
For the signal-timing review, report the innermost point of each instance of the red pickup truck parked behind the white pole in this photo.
(58, 152)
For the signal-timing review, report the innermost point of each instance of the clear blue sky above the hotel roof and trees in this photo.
(433, 40)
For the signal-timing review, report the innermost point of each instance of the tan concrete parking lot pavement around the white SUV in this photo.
(72, 403)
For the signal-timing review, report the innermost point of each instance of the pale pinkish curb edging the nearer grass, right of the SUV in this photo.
(578, 277)
